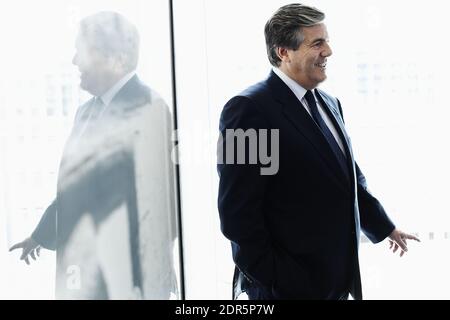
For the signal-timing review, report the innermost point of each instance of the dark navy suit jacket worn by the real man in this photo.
(295, 234)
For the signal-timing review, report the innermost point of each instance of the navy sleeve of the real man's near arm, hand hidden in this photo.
(242, 190)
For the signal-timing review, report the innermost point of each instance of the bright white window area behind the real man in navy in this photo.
(392, 87)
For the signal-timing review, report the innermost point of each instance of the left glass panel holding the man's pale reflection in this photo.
(86, 118)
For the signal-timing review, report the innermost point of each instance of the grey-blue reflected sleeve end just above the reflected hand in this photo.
(45, 231)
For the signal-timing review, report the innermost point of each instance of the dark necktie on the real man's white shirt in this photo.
(326, 132)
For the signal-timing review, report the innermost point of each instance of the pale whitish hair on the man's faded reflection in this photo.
(113, 35)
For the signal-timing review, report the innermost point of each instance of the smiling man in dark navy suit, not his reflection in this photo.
(295, 232)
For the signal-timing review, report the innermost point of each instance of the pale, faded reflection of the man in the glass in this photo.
(115, 178)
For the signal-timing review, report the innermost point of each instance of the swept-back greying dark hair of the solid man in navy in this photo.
(284, 28)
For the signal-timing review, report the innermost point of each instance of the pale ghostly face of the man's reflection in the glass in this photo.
(97, 70)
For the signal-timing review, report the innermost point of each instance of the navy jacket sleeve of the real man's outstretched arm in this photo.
(375, 223)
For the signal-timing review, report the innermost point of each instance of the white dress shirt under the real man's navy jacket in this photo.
(300, 92)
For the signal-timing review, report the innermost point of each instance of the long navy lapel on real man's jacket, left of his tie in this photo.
(296, 113)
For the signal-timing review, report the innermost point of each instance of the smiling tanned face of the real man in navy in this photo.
(307, 64)
